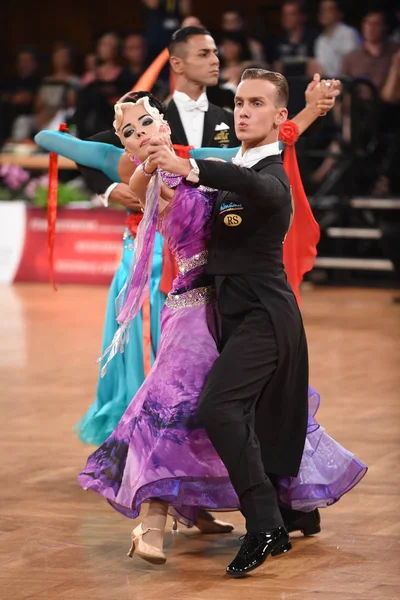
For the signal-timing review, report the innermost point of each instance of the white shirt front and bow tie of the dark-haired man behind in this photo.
(192, 113)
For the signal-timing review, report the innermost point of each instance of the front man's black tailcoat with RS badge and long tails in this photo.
(251, 218)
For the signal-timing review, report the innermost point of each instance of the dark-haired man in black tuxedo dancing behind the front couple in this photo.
(192, 118)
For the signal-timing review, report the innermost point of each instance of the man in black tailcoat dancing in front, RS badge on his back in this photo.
(254, 404)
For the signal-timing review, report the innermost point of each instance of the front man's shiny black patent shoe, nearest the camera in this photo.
(256, 548)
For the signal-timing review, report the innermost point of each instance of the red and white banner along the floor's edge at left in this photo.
(88, 244)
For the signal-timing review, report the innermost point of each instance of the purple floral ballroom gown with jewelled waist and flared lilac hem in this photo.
(158, 449)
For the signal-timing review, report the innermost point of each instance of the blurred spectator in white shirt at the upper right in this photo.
(336, 40)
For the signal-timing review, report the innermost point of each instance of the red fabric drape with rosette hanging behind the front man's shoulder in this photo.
(300, 247)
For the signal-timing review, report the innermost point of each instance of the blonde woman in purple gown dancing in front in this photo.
(158, 453)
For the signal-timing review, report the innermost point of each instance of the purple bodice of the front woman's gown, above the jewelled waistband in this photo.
(185, 226)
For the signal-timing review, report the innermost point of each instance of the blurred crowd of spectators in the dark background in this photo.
(28, 103)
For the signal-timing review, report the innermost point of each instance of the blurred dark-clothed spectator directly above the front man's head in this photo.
(293, 52)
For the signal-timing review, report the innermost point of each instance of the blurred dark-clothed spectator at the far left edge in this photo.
(18, 97)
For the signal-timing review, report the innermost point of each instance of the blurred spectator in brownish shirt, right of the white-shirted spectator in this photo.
(372, 60)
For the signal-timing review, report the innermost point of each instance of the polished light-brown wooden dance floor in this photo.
(58, 542)
